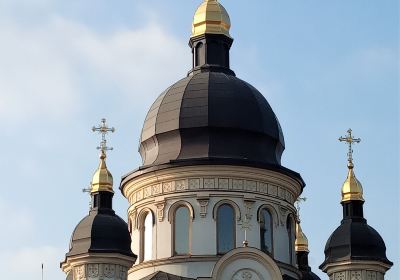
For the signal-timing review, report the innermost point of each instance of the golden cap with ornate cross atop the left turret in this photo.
(102, 178)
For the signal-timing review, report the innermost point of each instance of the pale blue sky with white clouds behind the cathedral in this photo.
(324, 66)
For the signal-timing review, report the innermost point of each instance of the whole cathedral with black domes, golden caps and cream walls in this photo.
(211, 199)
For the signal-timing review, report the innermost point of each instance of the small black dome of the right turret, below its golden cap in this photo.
(354, 239)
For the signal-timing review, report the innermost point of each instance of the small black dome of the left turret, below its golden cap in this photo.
(102, 231)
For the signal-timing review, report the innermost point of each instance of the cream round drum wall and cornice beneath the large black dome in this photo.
(203, 189)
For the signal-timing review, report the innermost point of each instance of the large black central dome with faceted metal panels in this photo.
(211, 115)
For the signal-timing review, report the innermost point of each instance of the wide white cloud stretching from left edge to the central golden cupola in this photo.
(50, 70)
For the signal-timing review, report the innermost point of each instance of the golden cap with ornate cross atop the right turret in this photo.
(352, 189)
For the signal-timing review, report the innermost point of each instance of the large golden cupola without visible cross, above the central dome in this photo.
(211, 18)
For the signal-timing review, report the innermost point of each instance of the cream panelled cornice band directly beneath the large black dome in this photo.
(203, 179)
